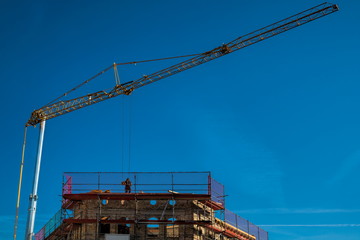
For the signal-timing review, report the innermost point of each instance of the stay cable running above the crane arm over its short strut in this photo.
(112, 66)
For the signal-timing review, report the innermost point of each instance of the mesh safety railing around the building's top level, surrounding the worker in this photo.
(144, 182)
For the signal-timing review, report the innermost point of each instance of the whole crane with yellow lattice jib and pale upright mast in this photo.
(62, 107)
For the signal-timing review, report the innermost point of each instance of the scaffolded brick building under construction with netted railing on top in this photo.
(124, 206)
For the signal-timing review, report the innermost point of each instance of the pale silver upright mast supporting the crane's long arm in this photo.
(33, 196)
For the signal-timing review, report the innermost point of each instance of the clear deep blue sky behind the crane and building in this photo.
(277, 123)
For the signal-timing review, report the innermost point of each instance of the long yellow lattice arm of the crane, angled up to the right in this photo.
(62, 107)
